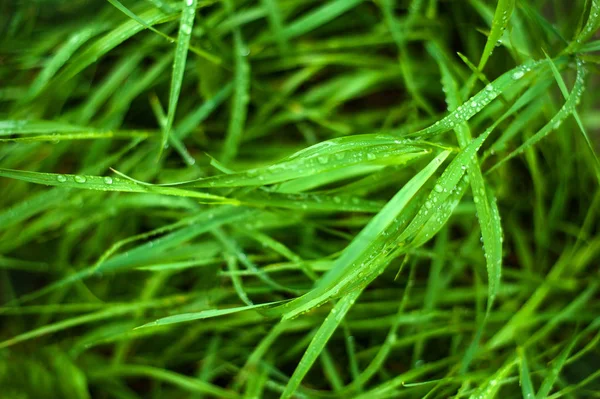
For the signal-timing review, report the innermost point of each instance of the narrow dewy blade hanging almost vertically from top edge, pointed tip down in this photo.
(186, 24)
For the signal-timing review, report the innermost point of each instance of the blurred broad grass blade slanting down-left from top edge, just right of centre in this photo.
(318, 17)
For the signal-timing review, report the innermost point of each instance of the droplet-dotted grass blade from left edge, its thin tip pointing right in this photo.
(105, 183)
